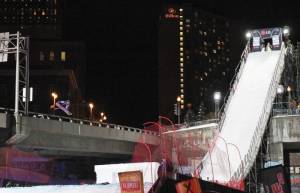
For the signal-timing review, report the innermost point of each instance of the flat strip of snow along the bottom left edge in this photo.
(97, 188)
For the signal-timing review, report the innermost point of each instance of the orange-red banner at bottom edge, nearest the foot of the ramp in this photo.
(189, 186)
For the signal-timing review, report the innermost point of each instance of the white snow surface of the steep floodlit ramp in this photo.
(242, 116)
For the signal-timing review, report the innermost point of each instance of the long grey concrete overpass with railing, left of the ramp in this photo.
(65, 136)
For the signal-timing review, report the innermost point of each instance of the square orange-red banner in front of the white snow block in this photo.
(131, 182)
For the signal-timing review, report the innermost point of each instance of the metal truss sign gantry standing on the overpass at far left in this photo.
(19, 46)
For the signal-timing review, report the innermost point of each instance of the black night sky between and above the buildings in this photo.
(121, 47)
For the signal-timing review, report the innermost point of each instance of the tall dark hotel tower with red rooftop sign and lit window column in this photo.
(195, 58)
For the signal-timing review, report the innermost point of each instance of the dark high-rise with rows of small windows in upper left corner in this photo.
(41, 19)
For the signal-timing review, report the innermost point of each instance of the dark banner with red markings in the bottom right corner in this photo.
(274, 180)
